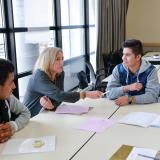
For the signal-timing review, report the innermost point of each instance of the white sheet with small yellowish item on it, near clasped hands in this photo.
(18, 146)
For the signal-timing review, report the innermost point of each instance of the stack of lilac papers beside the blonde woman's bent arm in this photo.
(71, 109)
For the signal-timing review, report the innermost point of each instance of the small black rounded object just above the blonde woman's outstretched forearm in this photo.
(82, 77)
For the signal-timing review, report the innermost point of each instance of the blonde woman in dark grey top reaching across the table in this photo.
(45, 87)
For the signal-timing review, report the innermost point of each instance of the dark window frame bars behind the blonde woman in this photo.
(9, 30)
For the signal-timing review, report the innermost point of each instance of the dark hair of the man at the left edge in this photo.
(6, 67)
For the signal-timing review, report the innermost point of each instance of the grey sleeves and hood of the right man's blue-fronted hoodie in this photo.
(151, 94)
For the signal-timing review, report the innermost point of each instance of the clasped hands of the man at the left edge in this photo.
(5, 132)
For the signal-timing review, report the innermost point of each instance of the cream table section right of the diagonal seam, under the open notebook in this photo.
(103, 145)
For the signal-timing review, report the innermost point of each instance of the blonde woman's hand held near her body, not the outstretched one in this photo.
(46, 103)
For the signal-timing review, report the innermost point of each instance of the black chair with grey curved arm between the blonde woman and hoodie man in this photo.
(95, 78)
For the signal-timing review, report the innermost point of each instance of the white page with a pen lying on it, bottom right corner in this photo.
(134, 154)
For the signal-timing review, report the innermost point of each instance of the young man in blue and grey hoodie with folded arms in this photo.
(135, 80)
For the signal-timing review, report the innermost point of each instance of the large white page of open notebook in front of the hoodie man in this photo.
(143, 119)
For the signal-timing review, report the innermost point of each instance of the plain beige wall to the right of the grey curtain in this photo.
(143, 21)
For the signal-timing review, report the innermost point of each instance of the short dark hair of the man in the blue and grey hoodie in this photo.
(135, 45)
